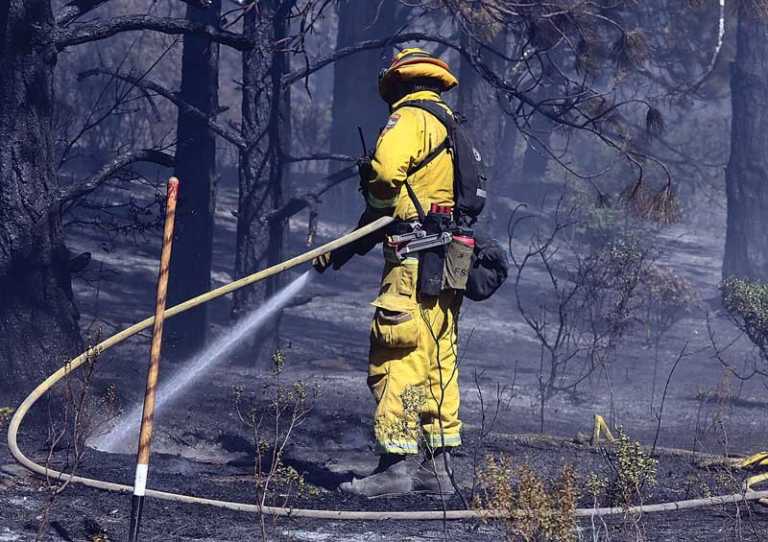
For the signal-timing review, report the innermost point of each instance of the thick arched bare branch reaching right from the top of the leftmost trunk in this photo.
(100, 30)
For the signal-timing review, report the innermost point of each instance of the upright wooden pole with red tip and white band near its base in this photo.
(145, 434)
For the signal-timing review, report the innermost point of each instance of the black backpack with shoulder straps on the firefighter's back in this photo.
(469, 180)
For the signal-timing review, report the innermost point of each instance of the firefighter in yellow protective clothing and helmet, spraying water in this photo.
(412, 371)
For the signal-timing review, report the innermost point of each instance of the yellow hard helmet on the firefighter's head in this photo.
(410, 65)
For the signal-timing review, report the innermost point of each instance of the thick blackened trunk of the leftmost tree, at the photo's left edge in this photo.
(38, 318)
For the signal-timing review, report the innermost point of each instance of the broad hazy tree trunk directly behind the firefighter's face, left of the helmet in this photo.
(356, 100)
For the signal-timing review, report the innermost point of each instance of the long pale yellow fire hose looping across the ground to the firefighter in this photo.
(747, 495)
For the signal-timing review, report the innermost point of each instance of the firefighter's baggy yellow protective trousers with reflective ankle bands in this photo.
(412, 371)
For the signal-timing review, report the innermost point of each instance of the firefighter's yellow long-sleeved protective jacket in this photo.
(409, 136)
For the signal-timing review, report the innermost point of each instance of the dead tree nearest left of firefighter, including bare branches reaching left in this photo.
(270, 33)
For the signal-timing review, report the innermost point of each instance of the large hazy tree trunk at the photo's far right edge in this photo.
(746, 244)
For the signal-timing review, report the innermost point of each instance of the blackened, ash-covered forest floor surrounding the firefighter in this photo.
(202, 447)
